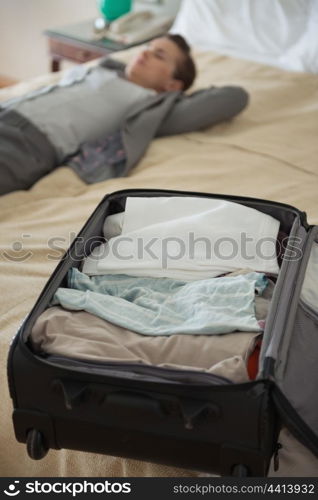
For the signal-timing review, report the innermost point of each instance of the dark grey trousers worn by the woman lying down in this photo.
(26, 155)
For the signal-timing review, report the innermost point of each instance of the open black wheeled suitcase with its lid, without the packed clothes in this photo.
(193, 420)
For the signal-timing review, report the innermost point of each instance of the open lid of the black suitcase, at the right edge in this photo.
(290, 356)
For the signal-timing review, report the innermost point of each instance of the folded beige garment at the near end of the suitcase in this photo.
(81, 335)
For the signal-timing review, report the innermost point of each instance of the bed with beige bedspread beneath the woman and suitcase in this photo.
(269, 151)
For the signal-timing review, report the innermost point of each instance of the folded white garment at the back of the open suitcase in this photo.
(186, 238)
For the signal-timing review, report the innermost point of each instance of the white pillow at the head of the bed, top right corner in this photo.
(280, 33)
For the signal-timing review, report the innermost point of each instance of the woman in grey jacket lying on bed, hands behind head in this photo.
(101, 120)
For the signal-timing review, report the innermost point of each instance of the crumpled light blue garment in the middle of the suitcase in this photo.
(164, 306)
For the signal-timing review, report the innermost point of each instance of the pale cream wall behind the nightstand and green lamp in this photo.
(23, 47)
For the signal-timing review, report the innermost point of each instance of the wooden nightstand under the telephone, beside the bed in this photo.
(76, 43)
